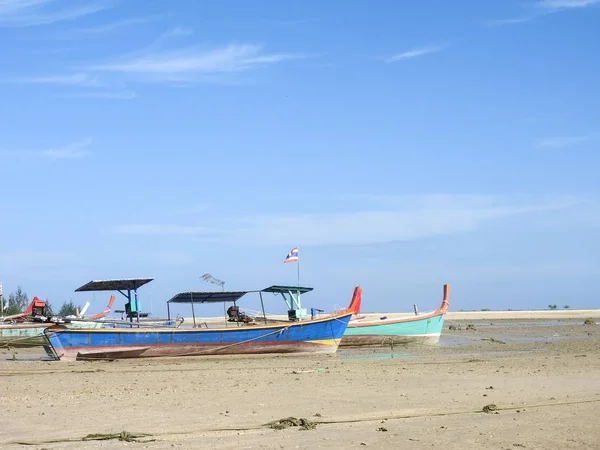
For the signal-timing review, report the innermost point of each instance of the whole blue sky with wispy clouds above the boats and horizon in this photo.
(399, 145)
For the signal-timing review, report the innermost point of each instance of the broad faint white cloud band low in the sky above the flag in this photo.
(381, 220)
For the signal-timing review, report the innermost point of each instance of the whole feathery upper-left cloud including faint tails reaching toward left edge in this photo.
(162, 62)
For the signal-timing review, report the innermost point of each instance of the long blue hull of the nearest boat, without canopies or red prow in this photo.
(321, 335)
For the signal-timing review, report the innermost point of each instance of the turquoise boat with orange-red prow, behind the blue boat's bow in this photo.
(422, 328)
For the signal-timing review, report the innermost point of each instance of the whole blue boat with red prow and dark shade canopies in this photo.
(301, 333)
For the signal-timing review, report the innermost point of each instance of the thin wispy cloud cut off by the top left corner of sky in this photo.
(24, 13)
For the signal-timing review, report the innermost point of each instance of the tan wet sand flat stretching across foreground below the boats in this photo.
(543, 376)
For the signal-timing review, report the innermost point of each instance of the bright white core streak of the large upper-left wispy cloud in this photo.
(190, 63)
